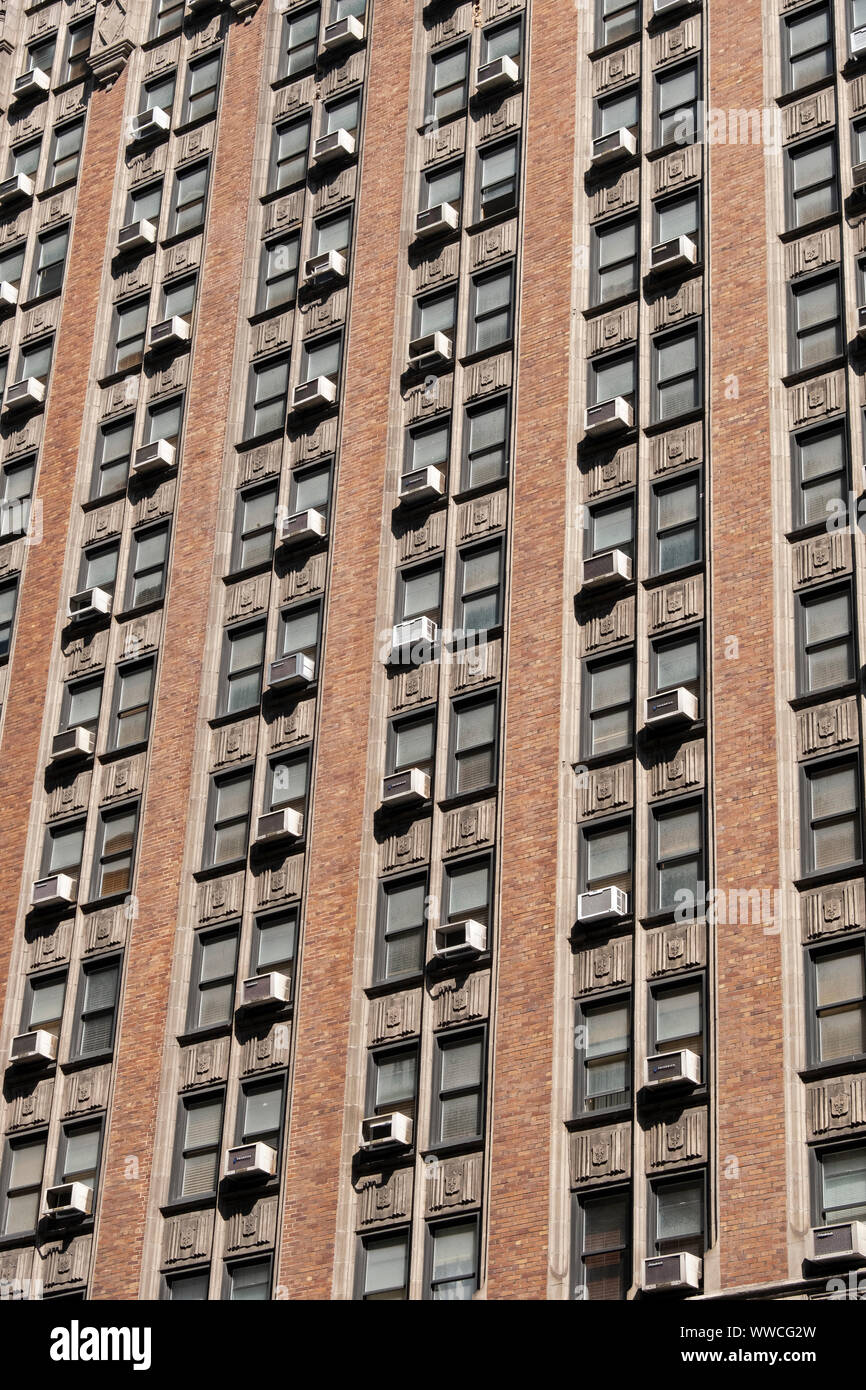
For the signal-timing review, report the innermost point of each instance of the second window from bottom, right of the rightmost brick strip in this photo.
(836, 1003)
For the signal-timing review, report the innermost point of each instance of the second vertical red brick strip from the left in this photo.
(120, 1235)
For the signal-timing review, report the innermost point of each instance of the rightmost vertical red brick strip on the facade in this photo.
(751, 1102)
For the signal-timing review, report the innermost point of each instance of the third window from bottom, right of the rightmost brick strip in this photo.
(831, 817)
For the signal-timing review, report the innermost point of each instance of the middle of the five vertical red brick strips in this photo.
(336, 843)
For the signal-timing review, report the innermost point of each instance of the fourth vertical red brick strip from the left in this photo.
(525, 1010)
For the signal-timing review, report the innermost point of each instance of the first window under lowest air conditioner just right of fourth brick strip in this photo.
(603, 1056)
